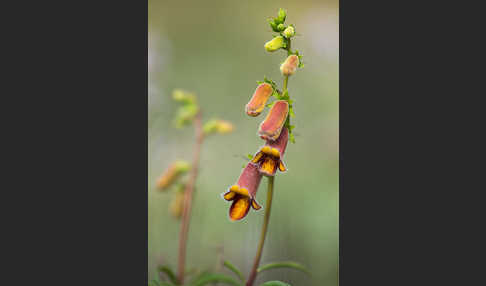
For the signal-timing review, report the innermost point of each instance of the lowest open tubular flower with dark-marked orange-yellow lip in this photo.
(243, 193)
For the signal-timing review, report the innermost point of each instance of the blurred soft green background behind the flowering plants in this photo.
(215, 49)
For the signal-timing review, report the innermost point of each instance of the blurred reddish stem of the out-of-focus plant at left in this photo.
(186, 212)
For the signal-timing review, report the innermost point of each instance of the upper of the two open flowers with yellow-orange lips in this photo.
(270, 156)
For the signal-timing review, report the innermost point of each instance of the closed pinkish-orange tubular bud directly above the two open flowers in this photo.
(271, 127)
